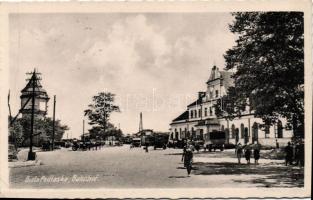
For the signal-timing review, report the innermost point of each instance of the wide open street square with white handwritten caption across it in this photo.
(122, 167)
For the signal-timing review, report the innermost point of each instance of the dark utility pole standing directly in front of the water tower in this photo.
(31, 154)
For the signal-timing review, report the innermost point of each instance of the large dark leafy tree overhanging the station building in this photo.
(268, 61)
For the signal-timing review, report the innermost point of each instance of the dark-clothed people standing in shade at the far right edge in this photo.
(295, 152)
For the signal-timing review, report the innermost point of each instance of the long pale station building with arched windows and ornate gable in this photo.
(200, 119)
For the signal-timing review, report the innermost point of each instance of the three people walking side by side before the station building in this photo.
(246, 150)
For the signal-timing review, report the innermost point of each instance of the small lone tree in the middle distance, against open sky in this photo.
(100, 110)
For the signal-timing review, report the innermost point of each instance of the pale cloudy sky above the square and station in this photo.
(155, 63)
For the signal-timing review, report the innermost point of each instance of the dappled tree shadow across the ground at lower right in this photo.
(273, 175)
